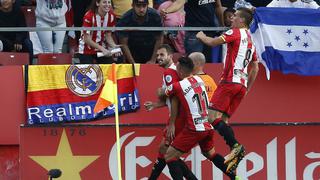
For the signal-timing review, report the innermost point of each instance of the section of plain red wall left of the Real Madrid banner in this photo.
(12, 104)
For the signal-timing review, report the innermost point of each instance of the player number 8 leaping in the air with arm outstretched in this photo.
(235, 82)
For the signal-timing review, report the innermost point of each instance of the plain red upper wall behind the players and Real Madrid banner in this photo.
(285, 98)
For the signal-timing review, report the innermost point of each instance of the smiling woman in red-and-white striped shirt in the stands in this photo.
(92, 42)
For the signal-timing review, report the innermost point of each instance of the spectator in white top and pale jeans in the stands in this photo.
(51, 14)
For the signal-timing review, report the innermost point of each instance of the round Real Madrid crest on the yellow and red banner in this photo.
(84, 80)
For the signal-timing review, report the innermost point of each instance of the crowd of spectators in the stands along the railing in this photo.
(136, 46)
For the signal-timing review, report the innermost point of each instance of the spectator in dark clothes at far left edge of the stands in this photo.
(14, 41)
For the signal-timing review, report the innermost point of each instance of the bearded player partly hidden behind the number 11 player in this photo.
(164, 59)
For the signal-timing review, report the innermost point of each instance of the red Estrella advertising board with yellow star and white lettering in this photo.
(273, 152)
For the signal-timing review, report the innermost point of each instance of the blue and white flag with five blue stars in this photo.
(288, 39)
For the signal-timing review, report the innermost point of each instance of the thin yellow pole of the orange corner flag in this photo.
(116, 112)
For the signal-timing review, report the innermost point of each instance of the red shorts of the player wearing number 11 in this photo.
(187, 139)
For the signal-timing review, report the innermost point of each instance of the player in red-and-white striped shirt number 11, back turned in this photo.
(193, 98)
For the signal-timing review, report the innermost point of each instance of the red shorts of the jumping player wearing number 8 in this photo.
(227, 97)
